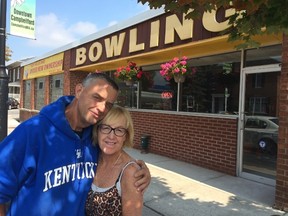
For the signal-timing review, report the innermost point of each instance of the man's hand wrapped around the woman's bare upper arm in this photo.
(143, 183)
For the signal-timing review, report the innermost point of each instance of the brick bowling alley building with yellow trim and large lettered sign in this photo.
(224, 116)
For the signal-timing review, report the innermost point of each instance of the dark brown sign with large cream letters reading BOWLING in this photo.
(159, 33)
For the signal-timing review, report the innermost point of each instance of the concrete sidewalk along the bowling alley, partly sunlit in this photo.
(182, 189)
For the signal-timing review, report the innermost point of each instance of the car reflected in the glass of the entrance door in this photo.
(261, 134)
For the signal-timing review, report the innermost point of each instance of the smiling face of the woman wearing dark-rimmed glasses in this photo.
(111, 135)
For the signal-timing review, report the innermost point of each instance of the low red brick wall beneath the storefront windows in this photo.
(210, 142)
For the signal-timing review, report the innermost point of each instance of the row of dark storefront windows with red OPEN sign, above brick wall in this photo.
(213, 87)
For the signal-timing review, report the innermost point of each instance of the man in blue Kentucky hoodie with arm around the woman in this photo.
(48, 162)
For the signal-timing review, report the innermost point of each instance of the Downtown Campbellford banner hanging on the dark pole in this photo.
(22, 18)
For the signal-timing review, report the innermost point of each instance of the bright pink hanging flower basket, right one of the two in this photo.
(176, 68)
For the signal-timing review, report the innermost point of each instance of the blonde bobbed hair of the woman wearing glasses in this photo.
(114, 114)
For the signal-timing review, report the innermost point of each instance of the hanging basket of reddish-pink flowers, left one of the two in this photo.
(129, 73)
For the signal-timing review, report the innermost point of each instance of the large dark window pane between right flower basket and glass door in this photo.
(212, 89)
